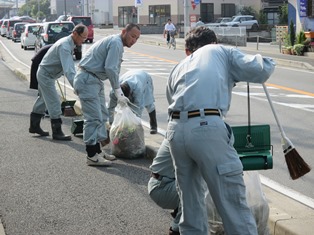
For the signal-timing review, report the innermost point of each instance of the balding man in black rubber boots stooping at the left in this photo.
(56, 62)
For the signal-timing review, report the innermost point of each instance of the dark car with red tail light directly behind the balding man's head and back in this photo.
(50, 32)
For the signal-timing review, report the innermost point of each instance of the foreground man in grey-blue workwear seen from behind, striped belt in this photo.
(199, 94)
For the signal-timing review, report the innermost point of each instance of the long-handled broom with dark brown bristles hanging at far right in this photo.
(296, 165)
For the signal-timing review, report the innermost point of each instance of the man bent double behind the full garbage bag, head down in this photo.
(137, 86)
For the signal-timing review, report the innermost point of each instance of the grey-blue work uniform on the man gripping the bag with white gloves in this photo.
(102, 61)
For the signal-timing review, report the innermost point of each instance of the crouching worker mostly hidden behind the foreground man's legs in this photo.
(162, 185)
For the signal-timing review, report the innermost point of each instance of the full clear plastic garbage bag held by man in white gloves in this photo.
(127, 134)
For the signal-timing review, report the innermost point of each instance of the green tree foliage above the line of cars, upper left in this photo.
(31, 8)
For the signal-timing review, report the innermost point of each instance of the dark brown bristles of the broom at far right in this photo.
(296, 165)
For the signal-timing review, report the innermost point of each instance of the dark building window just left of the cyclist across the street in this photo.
(159, 14)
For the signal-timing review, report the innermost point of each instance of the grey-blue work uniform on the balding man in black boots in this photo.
(56, 62)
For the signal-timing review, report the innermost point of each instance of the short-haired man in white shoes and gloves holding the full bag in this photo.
(102, 61)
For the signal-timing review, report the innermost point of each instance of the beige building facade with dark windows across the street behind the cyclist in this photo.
(154, 12)
